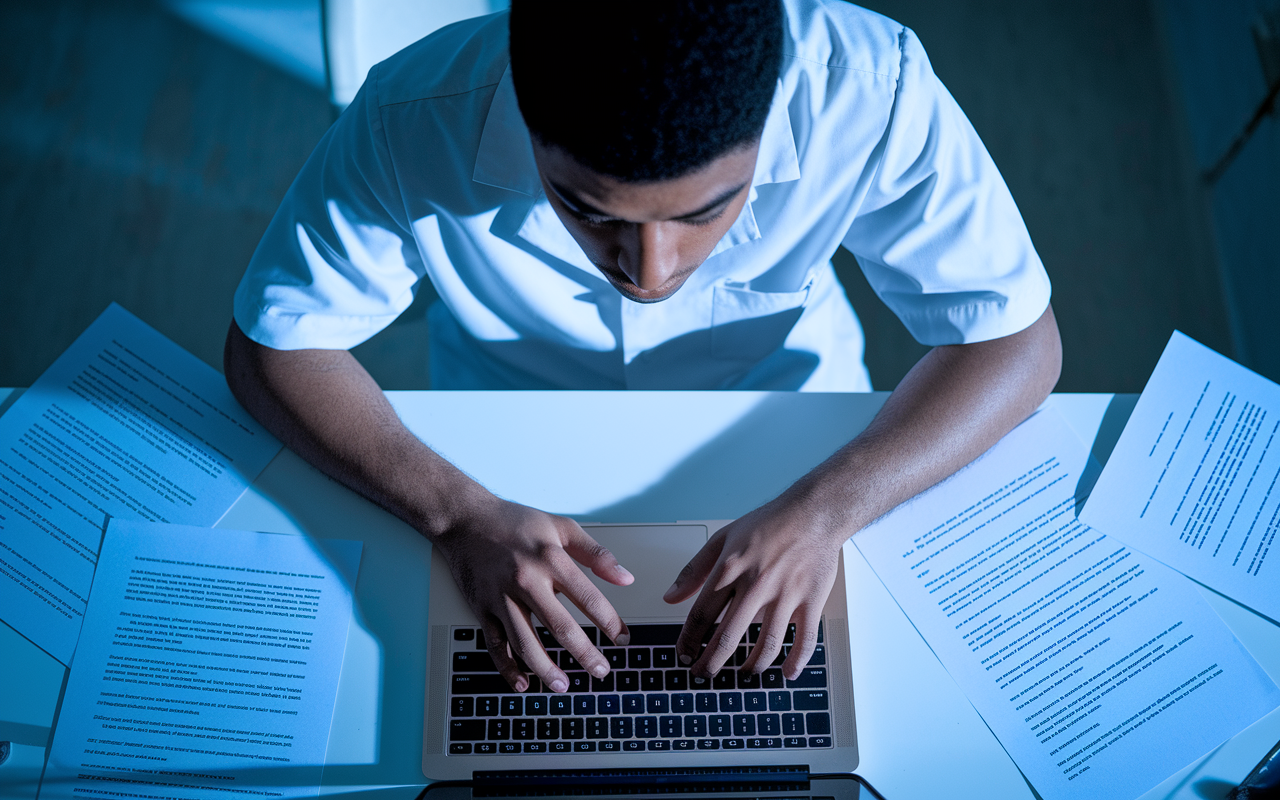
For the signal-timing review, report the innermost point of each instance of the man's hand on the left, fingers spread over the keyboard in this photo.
(511, 561)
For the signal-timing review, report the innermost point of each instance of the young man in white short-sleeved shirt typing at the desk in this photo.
(648, 196)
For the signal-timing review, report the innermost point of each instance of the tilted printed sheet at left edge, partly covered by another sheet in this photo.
(125, 424)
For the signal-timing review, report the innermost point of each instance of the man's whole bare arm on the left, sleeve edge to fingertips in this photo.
(509, 560)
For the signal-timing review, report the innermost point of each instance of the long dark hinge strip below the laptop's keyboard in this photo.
(516, 783)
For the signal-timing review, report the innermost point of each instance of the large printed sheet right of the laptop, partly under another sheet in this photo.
(1099, 670)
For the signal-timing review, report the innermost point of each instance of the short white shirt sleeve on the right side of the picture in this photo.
(938, 235)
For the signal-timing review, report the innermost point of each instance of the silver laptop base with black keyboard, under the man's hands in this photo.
(650, 712)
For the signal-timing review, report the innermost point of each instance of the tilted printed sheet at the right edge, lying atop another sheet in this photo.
(1195, 479)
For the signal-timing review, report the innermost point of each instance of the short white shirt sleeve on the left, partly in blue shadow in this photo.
(339, 262)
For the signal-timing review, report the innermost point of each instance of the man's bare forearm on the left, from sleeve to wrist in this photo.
(324, 406)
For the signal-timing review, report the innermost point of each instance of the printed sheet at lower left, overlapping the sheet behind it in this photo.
(208, 668)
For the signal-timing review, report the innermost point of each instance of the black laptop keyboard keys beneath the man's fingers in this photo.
(648, 702)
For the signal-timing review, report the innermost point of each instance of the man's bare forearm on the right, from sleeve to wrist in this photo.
(949, 410)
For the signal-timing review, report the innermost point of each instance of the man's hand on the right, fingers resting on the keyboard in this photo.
(779, 564)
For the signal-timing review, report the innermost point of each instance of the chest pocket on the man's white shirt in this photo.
(748, 326)
